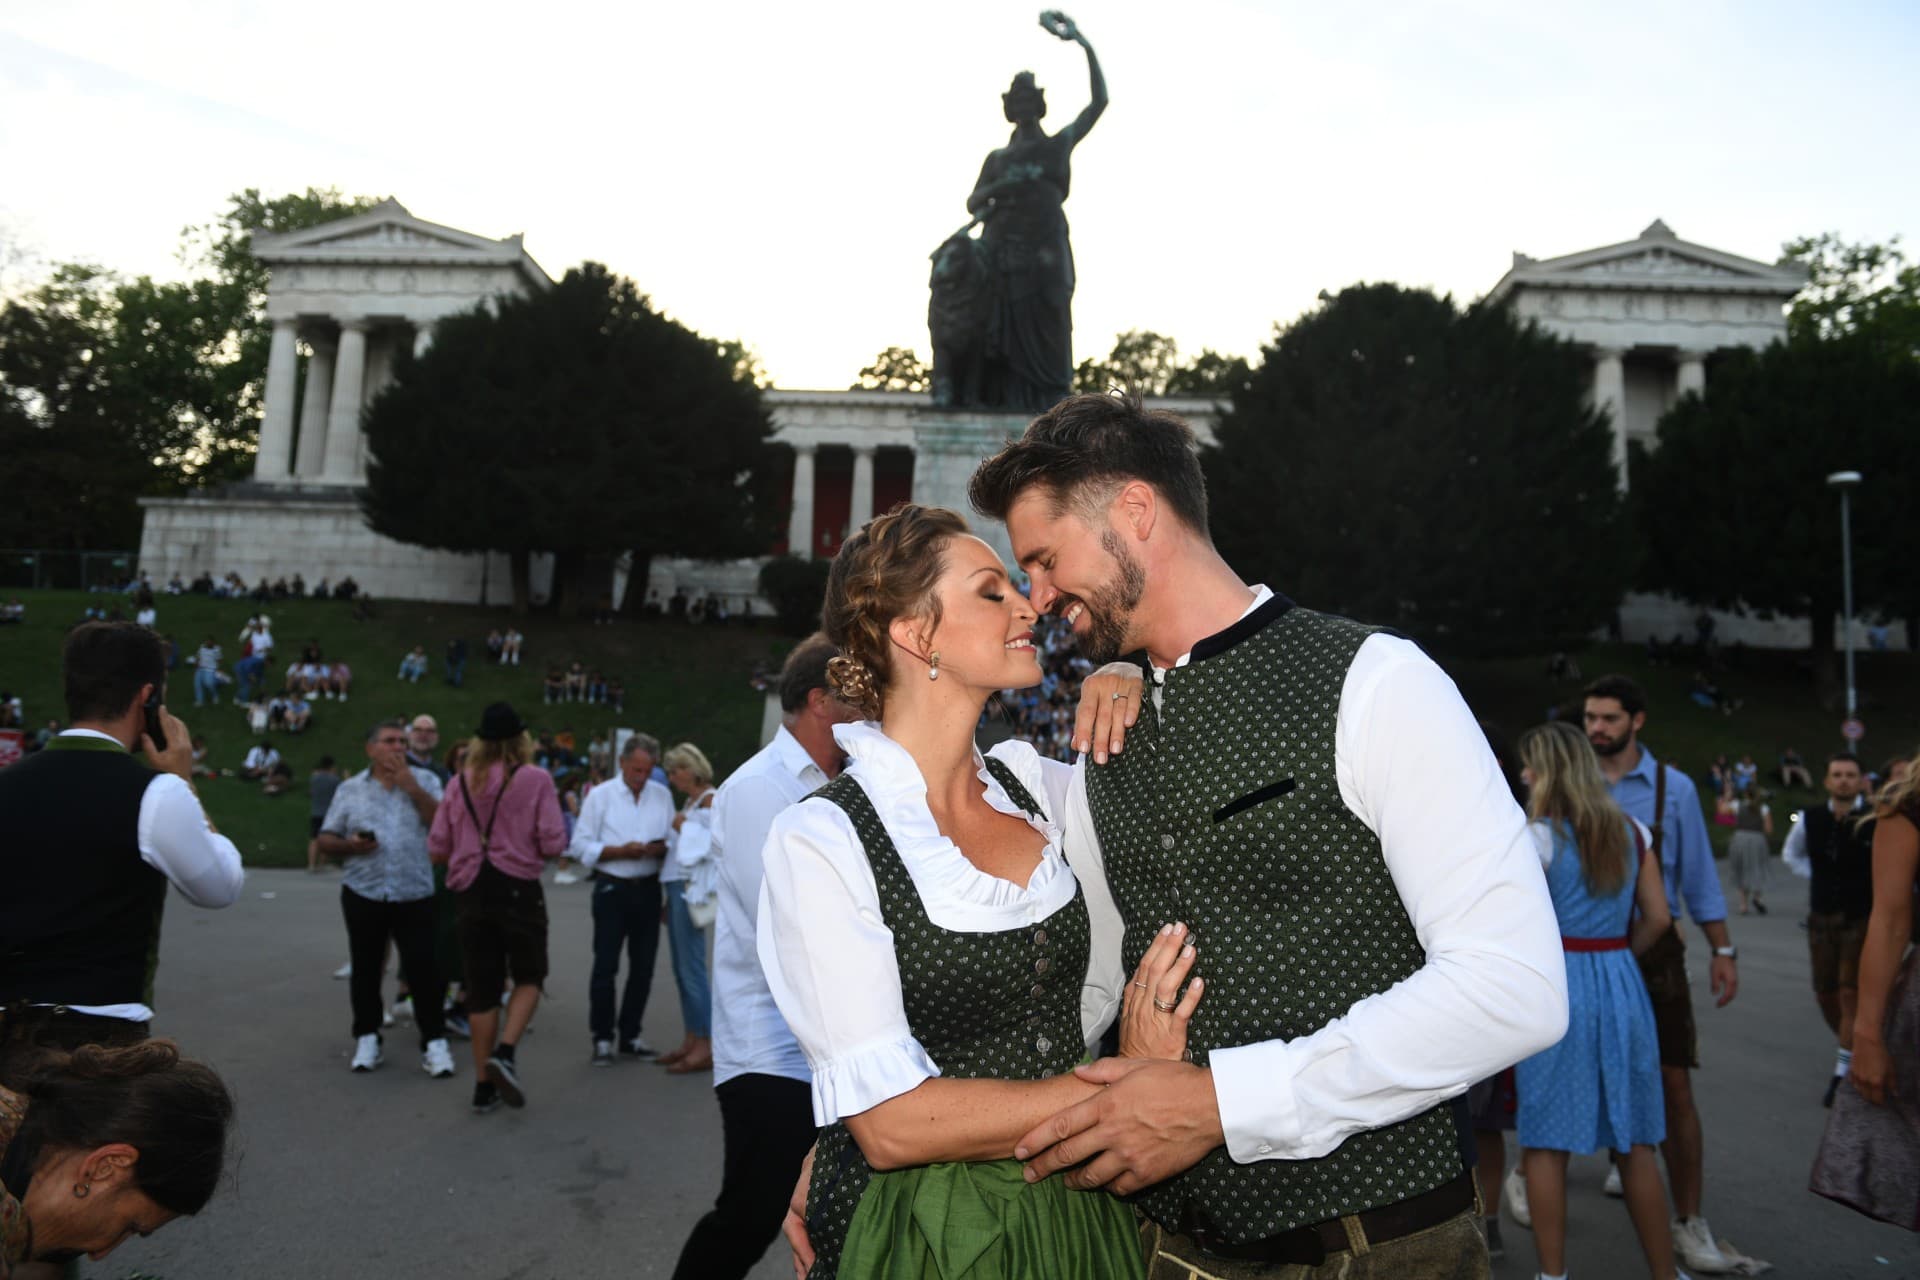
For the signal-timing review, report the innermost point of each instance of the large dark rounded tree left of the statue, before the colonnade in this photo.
(577, 421)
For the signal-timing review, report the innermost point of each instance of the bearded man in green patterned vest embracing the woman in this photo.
(1314, 803)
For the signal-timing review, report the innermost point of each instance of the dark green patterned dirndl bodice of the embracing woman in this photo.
(986, 1007)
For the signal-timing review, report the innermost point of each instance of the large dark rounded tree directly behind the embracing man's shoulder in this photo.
(1431, 469)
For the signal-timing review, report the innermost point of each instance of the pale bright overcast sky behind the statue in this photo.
(780, 172)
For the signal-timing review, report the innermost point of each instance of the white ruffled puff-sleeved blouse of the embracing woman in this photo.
(827, 947)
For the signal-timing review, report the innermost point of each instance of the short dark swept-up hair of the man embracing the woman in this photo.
(1086, 446)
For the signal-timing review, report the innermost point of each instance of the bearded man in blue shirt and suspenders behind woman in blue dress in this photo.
(1616, 713)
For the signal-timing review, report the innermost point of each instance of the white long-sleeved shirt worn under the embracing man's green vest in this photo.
(1414, 767)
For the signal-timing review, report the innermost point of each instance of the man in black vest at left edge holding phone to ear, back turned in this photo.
(97, 834)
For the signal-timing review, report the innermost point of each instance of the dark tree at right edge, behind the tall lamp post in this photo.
(1735, 504)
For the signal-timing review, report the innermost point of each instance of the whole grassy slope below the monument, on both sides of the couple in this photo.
(692, 684)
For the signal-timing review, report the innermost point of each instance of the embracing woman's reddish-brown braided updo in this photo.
(882, 573)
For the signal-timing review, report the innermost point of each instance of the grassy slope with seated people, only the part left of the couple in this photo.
(683, 684)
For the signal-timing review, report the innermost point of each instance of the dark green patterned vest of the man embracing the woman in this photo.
(1224, 813)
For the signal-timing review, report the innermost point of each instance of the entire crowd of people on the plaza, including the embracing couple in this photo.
(990, 1012)
